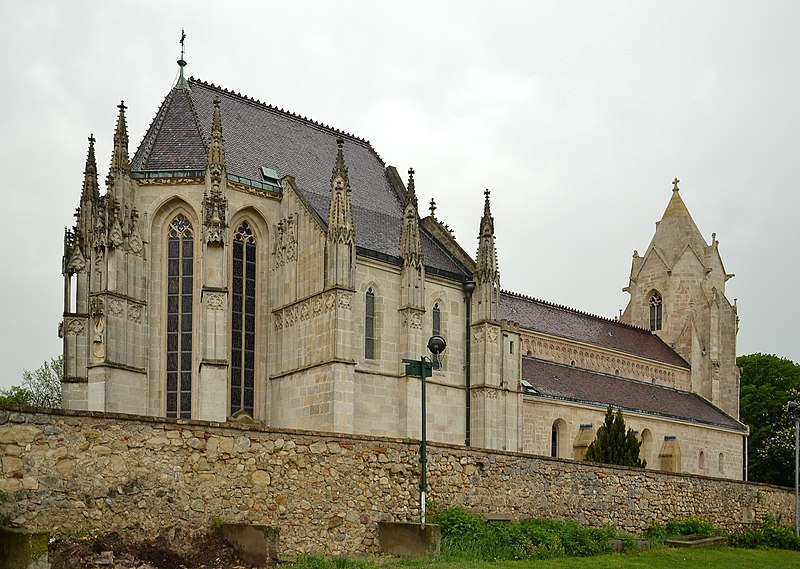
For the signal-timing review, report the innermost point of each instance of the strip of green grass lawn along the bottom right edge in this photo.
(666, 558)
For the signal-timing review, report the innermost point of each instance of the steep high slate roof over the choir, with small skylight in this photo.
(257, 134)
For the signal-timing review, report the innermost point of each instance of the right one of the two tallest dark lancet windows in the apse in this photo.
(243, 342)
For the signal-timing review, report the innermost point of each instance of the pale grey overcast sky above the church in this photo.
(576, 115)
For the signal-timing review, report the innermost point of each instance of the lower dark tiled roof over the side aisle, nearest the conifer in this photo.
(574, 384)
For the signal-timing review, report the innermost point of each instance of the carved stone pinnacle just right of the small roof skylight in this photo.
(340, 247)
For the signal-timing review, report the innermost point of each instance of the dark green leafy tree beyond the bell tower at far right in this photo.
(768, 382)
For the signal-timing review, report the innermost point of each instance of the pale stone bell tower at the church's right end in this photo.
(678, 292)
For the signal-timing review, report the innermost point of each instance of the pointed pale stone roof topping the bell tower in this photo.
(677, 230)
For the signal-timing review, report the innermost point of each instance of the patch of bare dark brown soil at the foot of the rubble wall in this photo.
(171, 549)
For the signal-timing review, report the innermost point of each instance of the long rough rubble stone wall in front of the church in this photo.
(65, 471)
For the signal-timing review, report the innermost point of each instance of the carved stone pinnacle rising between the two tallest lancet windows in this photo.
(215, 204)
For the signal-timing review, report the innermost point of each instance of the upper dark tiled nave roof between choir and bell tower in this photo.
(568, 323)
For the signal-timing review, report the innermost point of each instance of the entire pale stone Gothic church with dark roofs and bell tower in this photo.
(250, 264)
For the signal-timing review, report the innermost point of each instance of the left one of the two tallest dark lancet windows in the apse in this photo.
(180, 284)
